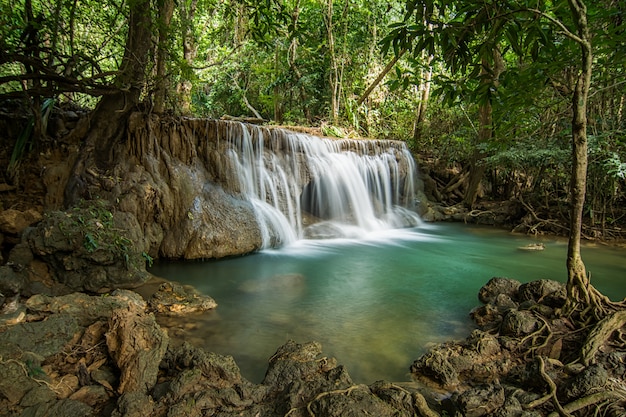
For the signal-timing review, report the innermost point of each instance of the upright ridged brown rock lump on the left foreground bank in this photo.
(137, 344)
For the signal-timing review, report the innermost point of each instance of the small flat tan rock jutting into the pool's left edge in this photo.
(177, 300)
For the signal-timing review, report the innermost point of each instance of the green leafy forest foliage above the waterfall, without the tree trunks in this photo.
(274, 56)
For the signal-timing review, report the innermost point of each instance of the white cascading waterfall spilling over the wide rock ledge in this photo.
(303, 186)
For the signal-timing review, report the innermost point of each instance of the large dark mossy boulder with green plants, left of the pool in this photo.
(93, 248)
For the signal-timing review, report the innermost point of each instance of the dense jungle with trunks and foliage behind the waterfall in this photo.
(481, 92)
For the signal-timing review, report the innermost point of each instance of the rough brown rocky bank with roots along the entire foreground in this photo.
(106, 355)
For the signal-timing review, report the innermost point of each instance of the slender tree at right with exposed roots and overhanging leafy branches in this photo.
(465, 31)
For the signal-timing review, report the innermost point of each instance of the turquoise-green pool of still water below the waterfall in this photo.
(375, 304)
